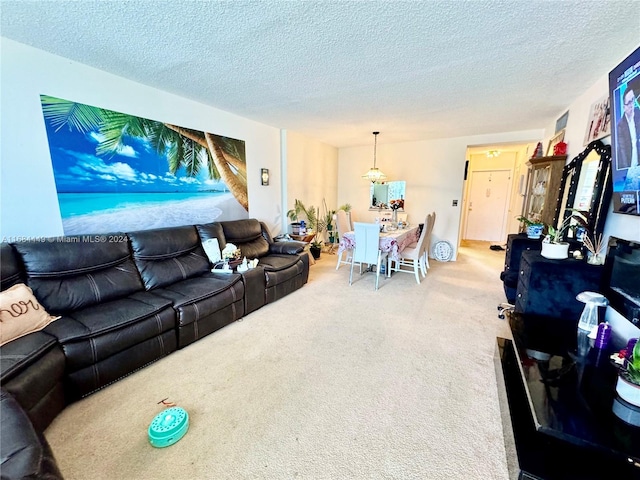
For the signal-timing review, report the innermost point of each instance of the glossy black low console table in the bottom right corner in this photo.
(560, 406)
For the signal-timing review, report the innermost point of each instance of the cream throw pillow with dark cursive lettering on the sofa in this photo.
(21, 313)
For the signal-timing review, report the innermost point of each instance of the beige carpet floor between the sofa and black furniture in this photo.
(330, 382)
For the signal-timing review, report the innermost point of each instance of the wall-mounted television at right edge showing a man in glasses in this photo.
(624, 90)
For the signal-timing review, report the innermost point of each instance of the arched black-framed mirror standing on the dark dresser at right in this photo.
(586, 186)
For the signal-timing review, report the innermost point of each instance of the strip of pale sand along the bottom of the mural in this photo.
(169, 214)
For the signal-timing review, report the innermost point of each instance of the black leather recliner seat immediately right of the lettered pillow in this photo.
(109, 326)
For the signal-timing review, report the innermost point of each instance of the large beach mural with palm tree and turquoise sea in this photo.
(118, 172)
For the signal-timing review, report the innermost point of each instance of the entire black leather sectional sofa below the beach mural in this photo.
(125, 300)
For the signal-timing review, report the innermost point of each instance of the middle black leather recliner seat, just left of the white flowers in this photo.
(174, 266)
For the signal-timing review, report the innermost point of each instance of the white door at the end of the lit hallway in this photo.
(488, 205)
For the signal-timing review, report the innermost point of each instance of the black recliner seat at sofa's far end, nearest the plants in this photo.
(285, 270)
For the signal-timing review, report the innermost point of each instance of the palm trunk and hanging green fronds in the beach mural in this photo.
(223, 157)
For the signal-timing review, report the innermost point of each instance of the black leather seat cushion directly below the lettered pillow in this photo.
(21, 353)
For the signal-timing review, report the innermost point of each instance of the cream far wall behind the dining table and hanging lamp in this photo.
(433, 170)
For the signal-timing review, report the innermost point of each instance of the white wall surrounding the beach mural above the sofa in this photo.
(28, 201)
